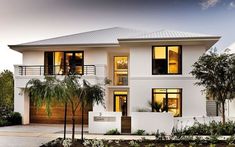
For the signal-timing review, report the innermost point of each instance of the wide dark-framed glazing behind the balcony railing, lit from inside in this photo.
(61, 63)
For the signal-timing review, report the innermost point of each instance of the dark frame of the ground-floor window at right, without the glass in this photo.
(180, 93)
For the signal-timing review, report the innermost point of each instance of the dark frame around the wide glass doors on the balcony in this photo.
(64, 59)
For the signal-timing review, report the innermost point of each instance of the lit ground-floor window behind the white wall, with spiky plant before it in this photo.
(167, 100)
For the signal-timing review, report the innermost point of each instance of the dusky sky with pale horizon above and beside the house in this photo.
(30, 20)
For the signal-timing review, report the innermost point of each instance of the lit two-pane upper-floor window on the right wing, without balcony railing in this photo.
(166, 60)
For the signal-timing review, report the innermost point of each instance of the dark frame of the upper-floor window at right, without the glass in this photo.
(181, 58)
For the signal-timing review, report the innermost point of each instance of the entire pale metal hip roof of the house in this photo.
(113, 36)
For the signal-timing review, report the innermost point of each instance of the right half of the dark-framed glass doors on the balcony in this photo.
(74, 62)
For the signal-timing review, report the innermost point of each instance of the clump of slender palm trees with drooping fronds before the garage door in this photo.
(67, 91)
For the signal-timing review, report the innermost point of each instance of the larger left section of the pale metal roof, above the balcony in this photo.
(103, 36)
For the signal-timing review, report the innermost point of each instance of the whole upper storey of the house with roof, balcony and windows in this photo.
(167, 55)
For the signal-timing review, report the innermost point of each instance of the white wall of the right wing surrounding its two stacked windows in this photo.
(142, 81)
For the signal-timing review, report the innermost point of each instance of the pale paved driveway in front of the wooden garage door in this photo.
(32, 135)
